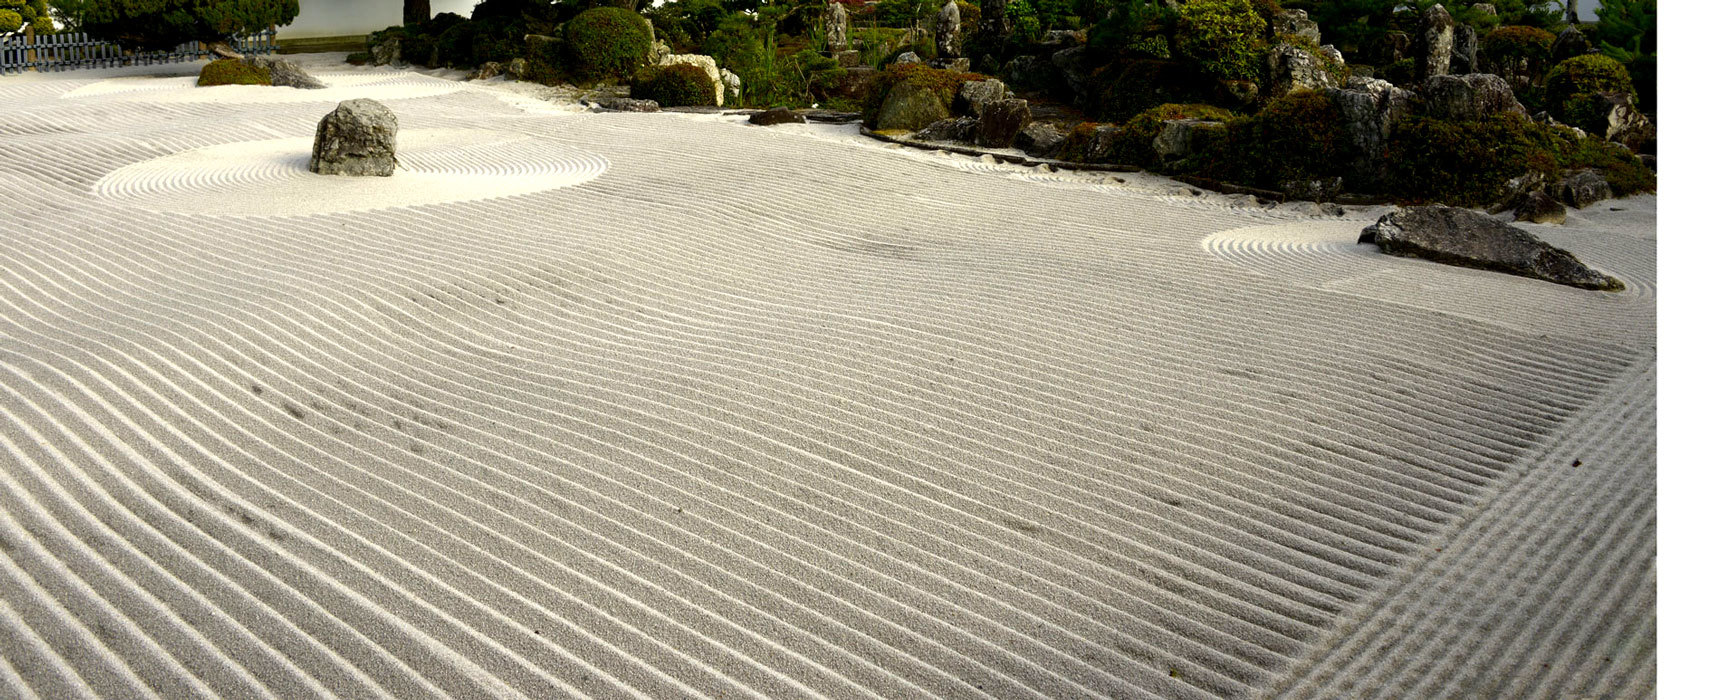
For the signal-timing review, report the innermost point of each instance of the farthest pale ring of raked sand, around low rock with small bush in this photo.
(184, 89)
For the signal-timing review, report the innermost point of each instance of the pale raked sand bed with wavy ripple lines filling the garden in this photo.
(675, 406)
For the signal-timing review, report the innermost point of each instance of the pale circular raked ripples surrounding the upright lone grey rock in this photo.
(271, 178)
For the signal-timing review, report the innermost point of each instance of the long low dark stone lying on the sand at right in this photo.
(1468, 238)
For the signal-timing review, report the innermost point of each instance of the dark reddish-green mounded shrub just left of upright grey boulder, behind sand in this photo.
(1295, 138)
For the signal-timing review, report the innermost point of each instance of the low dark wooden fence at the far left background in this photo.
(68, 51)
